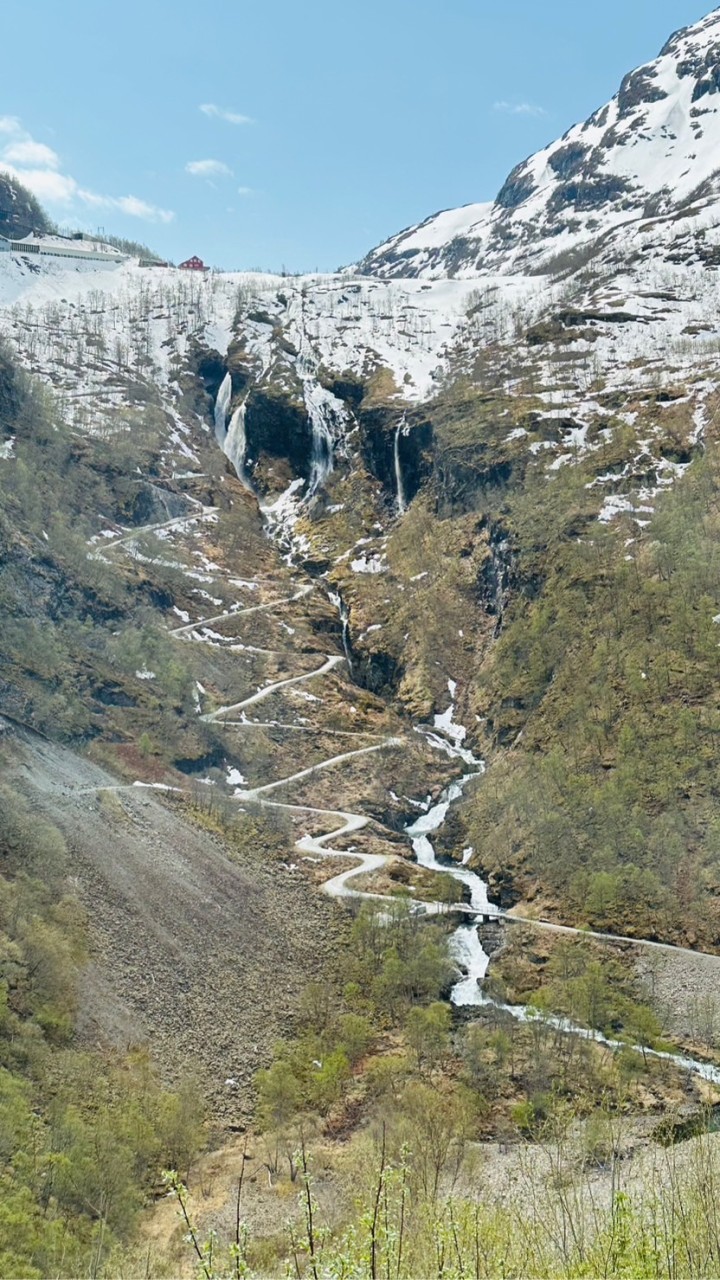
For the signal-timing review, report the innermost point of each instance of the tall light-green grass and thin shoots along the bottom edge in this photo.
(555, 1227)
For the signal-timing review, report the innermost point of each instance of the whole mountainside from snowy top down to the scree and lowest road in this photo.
(318, 543)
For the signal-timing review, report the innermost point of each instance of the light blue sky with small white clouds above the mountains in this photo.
(329, 125)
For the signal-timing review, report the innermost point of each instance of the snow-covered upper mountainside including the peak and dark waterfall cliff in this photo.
(591, 280)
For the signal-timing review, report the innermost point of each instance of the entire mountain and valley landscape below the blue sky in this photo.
(359, 701)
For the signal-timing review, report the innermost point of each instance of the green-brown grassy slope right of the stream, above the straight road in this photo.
(596, 700)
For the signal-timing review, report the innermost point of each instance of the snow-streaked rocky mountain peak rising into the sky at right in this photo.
(653, 153)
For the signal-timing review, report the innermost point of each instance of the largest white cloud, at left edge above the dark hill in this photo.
(39, 167)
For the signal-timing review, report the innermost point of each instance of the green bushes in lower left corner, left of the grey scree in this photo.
(83, 1139)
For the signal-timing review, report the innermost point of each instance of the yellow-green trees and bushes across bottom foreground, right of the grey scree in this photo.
(405, 1095)
